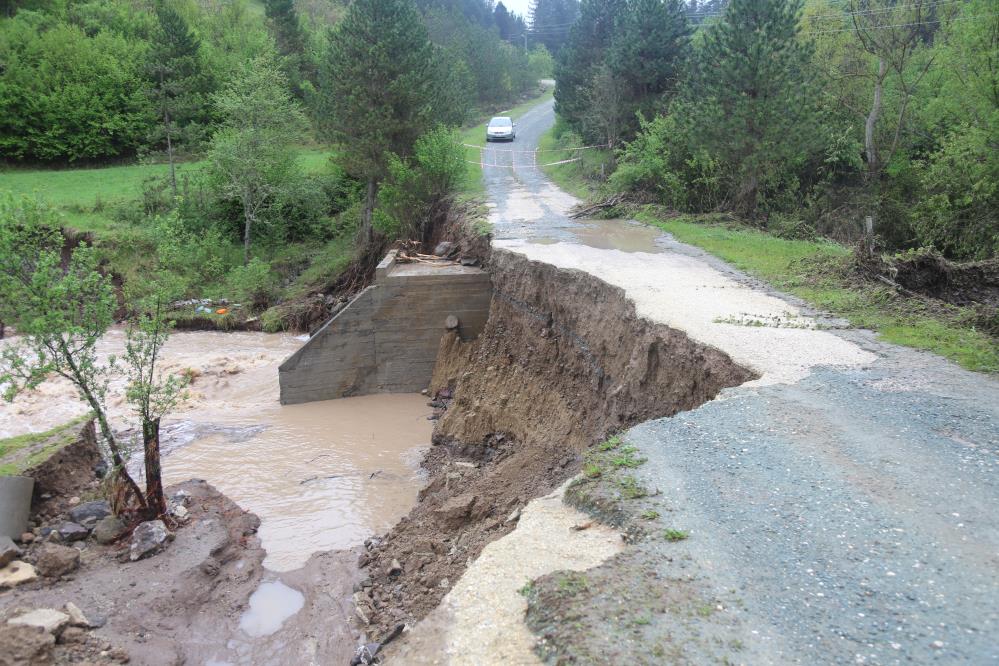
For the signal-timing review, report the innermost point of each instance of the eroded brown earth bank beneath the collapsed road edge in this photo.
(563, 361)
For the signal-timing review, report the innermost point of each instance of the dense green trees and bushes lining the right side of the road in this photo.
(805, 116)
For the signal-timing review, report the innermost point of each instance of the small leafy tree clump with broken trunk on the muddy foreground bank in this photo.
(60, 312)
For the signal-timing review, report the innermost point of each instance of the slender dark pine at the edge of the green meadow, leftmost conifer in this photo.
(179, 82)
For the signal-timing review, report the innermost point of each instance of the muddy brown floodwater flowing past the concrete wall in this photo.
(320, 476)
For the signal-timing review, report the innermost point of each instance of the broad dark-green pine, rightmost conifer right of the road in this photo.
(755, 107)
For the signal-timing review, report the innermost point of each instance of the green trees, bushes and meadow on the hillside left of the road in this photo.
(230, 143)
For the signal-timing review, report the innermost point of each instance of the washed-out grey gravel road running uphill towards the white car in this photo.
(842, 512)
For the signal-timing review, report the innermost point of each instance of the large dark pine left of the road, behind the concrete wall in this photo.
(379, 89)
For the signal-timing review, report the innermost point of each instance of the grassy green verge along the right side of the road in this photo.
(819, 272)
